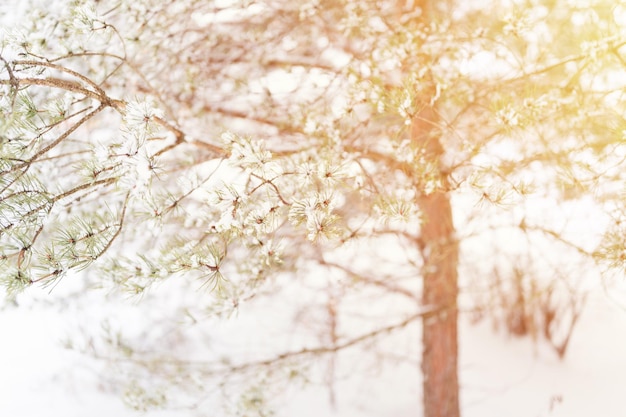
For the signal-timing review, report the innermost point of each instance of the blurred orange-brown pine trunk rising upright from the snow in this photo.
(440, 253)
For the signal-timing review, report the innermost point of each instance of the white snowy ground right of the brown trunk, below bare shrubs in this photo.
(511, 377)
